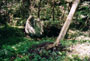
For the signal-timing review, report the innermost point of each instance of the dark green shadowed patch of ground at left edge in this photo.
(10, 35)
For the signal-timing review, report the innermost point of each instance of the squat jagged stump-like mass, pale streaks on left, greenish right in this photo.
(34, 27)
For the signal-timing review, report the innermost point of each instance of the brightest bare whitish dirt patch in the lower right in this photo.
(82, 50)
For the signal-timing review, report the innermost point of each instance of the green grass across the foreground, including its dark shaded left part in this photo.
(14, 47)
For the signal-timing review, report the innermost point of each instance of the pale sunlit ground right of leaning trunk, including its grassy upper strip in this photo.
(82, 47)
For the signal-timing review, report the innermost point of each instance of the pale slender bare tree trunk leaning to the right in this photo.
(66, 24)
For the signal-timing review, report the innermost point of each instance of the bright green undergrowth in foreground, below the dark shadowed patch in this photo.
(19, 51)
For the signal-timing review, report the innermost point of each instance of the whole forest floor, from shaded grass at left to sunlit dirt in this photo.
(14, 46)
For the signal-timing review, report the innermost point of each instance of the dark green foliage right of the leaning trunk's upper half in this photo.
(82, 16)
